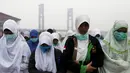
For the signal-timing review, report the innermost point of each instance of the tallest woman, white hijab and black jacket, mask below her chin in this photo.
(89, 55)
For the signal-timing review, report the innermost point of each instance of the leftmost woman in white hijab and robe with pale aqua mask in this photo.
(14, 51)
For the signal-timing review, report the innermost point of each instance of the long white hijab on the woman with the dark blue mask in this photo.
(45, 61)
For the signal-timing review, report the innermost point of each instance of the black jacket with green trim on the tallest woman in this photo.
(67, 62)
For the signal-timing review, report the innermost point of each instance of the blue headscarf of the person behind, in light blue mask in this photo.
(33, 45)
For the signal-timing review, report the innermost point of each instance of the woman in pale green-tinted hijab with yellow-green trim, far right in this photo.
(116, 49)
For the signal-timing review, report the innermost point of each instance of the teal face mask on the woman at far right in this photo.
(120, 36)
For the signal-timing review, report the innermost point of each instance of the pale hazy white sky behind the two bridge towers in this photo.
(102, 13)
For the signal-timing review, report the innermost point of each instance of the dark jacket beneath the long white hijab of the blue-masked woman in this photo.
(33, 69)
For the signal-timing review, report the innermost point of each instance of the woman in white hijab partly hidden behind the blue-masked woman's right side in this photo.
(57, 42)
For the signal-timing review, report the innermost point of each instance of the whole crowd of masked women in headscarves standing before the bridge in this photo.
(78, 52)
